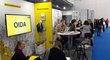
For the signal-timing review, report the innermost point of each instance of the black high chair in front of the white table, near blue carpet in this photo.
(79, 52)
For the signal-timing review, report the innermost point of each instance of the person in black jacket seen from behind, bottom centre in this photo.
(56, 52)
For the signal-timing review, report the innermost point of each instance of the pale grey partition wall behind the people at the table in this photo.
(76, 14)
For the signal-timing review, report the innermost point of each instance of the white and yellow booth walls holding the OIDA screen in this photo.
(20, 21)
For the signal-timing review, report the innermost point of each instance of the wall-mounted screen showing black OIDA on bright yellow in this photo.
(17, 24)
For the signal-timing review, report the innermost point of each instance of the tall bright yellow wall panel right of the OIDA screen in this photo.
(43, 11)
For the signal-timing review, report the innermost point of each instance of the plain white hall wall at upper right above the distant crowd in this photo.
(100, 7)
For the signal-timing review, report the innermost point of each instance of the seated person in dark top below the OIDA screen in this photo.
(19, 55)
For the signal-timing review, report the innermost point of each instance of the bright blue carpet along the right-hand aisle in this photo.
(101, 48)
